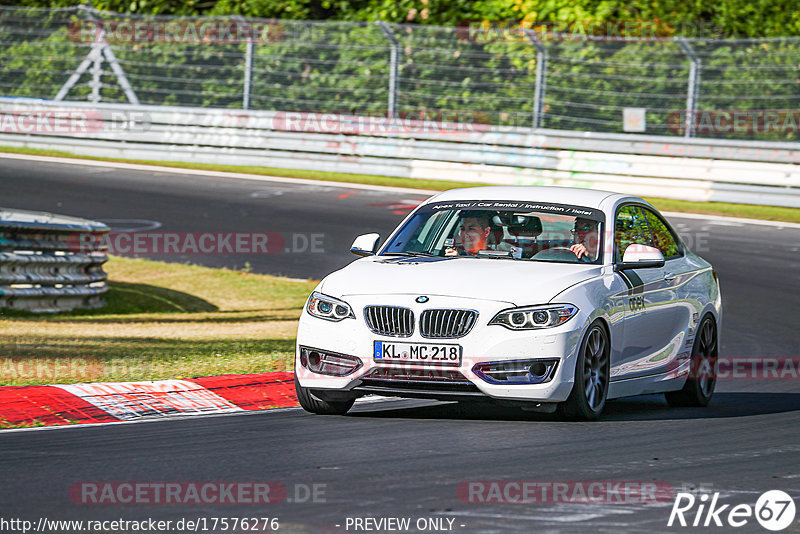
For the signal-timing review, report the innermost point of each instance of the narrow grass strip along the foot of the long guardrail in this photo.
(770, 213)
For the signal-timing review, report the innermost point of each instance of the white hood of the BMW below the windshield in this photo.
(516, 282)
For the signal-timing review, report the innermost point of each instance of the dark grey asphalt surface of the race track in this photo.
(406, 458)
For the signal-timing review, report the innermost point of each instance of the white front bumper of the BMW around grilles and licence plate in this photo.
(484, 343)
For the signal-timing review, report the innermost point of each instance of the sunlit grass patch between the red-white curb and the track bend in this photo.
(162, 321)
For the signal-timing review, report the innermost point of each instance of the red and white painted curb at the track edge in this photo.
(106, 402)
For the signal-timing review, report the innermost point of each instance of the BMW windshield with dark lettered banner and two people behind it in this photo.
(493, 229)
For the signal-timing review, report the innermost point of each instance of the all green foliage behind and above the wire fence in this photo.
(485, 77)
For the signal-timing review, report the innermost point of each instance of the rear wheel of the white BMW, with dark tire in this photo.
(699, 387)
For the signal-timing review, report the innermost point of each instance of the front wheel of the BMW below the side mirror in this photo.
(589, 392)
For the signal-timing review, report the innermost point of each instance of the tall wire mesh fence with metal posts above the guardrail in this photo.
(733, 88)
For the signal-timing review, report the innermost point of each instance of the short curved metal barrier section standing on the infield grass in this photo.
(51, 263)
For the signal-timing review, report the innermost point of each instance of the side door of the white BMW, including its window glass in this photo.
(649, 345)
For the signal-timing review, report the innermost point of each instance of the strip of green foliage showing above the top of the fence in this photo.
(733, 18)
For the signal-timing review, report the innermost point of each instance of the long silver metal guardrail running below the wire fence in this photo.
(753, 172)
